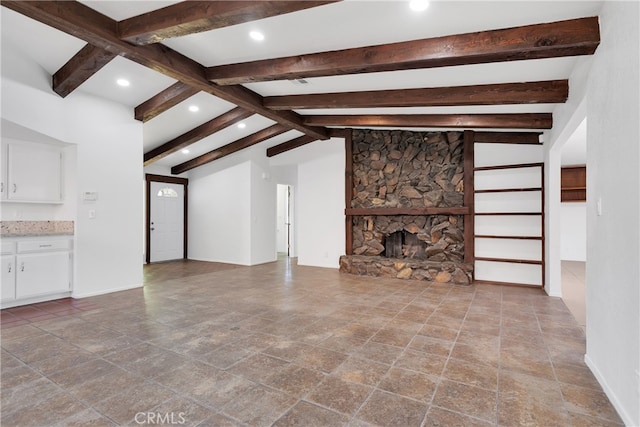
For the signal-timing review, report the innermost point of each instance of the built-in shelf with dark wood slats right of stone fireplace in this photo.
(508, 191)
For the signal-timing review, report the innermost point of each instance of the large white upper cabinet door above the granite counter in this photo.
(34, 173)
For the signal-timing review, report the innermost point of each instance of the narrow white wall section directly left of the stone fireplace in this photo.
(320, 201)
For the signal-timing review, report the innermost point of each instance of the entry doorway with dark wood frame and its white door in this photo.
(166, 218)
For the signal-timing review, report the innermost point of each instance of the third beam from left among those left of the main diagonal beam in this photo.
(204, 130)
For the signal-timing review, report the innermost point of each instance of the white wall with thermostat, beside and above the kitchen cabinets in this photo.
(108, 143)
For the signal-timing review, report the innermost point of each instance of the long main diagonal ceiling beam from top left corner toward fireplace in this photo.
(99, 30)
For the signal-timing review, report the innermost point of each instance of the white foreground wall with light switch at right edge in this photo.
(613, 239)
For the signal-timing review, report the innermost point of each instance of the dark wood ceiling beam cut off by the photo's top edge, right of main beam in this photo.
(191, 17)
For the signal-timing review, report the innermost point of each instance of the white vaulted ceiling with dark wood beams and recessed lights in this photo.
(323, 66)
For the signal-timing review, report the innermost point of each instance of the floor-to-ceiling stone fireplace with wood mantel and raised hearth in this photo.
(406, 206)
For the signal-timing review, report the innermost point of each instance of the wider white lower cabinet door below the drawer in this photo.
(42, 273)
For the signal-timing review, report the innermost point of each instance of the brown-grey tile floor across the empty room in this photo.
(218, 345)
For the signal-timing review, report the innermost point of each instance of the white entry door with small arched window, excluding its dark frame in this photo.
(166, 230)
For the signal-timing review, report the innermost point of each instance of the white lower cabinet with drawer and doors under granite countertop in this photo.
(35, 268)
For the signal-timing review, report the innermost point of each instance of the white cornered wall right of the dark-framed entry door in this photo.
(232, 210)
